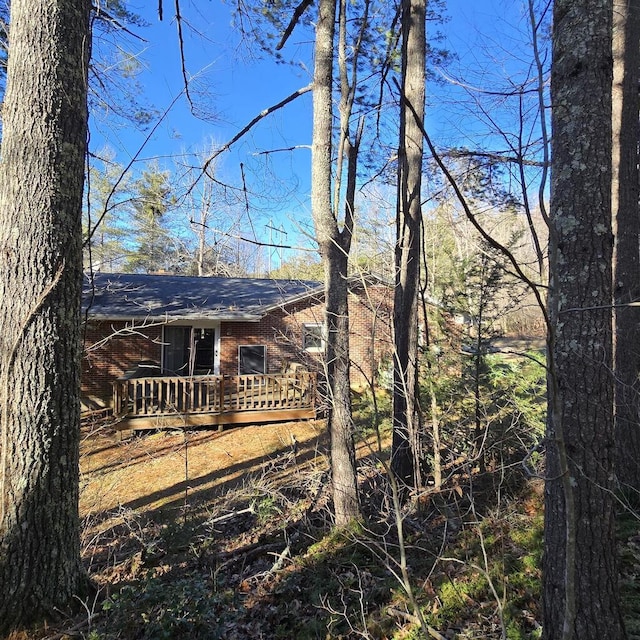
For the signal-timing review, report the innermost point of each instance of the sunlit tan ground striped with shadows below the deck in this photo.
(165, 471)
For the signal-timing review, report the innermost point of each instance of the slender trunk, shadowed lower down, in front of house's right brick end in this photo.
(406, 445)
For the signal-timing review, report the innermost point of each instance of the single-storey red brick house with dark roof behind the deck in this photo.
(164, 325)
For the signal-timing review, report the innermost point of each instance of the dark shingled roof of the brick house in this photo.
(125, 296)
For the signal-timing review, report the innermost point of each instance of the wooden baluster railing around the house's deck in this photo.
(159, 396)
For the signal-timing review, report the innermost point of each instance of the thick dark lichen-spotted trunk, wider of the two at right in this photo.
(580, 595)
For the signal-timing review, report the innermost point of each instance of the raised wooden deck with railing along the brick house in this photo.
(159, 402)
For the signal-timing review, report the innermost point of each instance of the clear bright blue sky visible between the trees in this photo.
(485, 35)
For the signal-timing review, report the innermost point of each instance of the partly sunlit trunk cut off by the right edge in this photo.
(626, 228)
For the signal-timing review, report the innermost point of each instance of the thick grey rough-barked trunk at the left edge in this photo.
(41, 181)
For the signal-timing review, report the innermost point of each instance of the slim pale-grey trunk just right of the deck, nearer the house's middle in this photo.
(334, 248)
